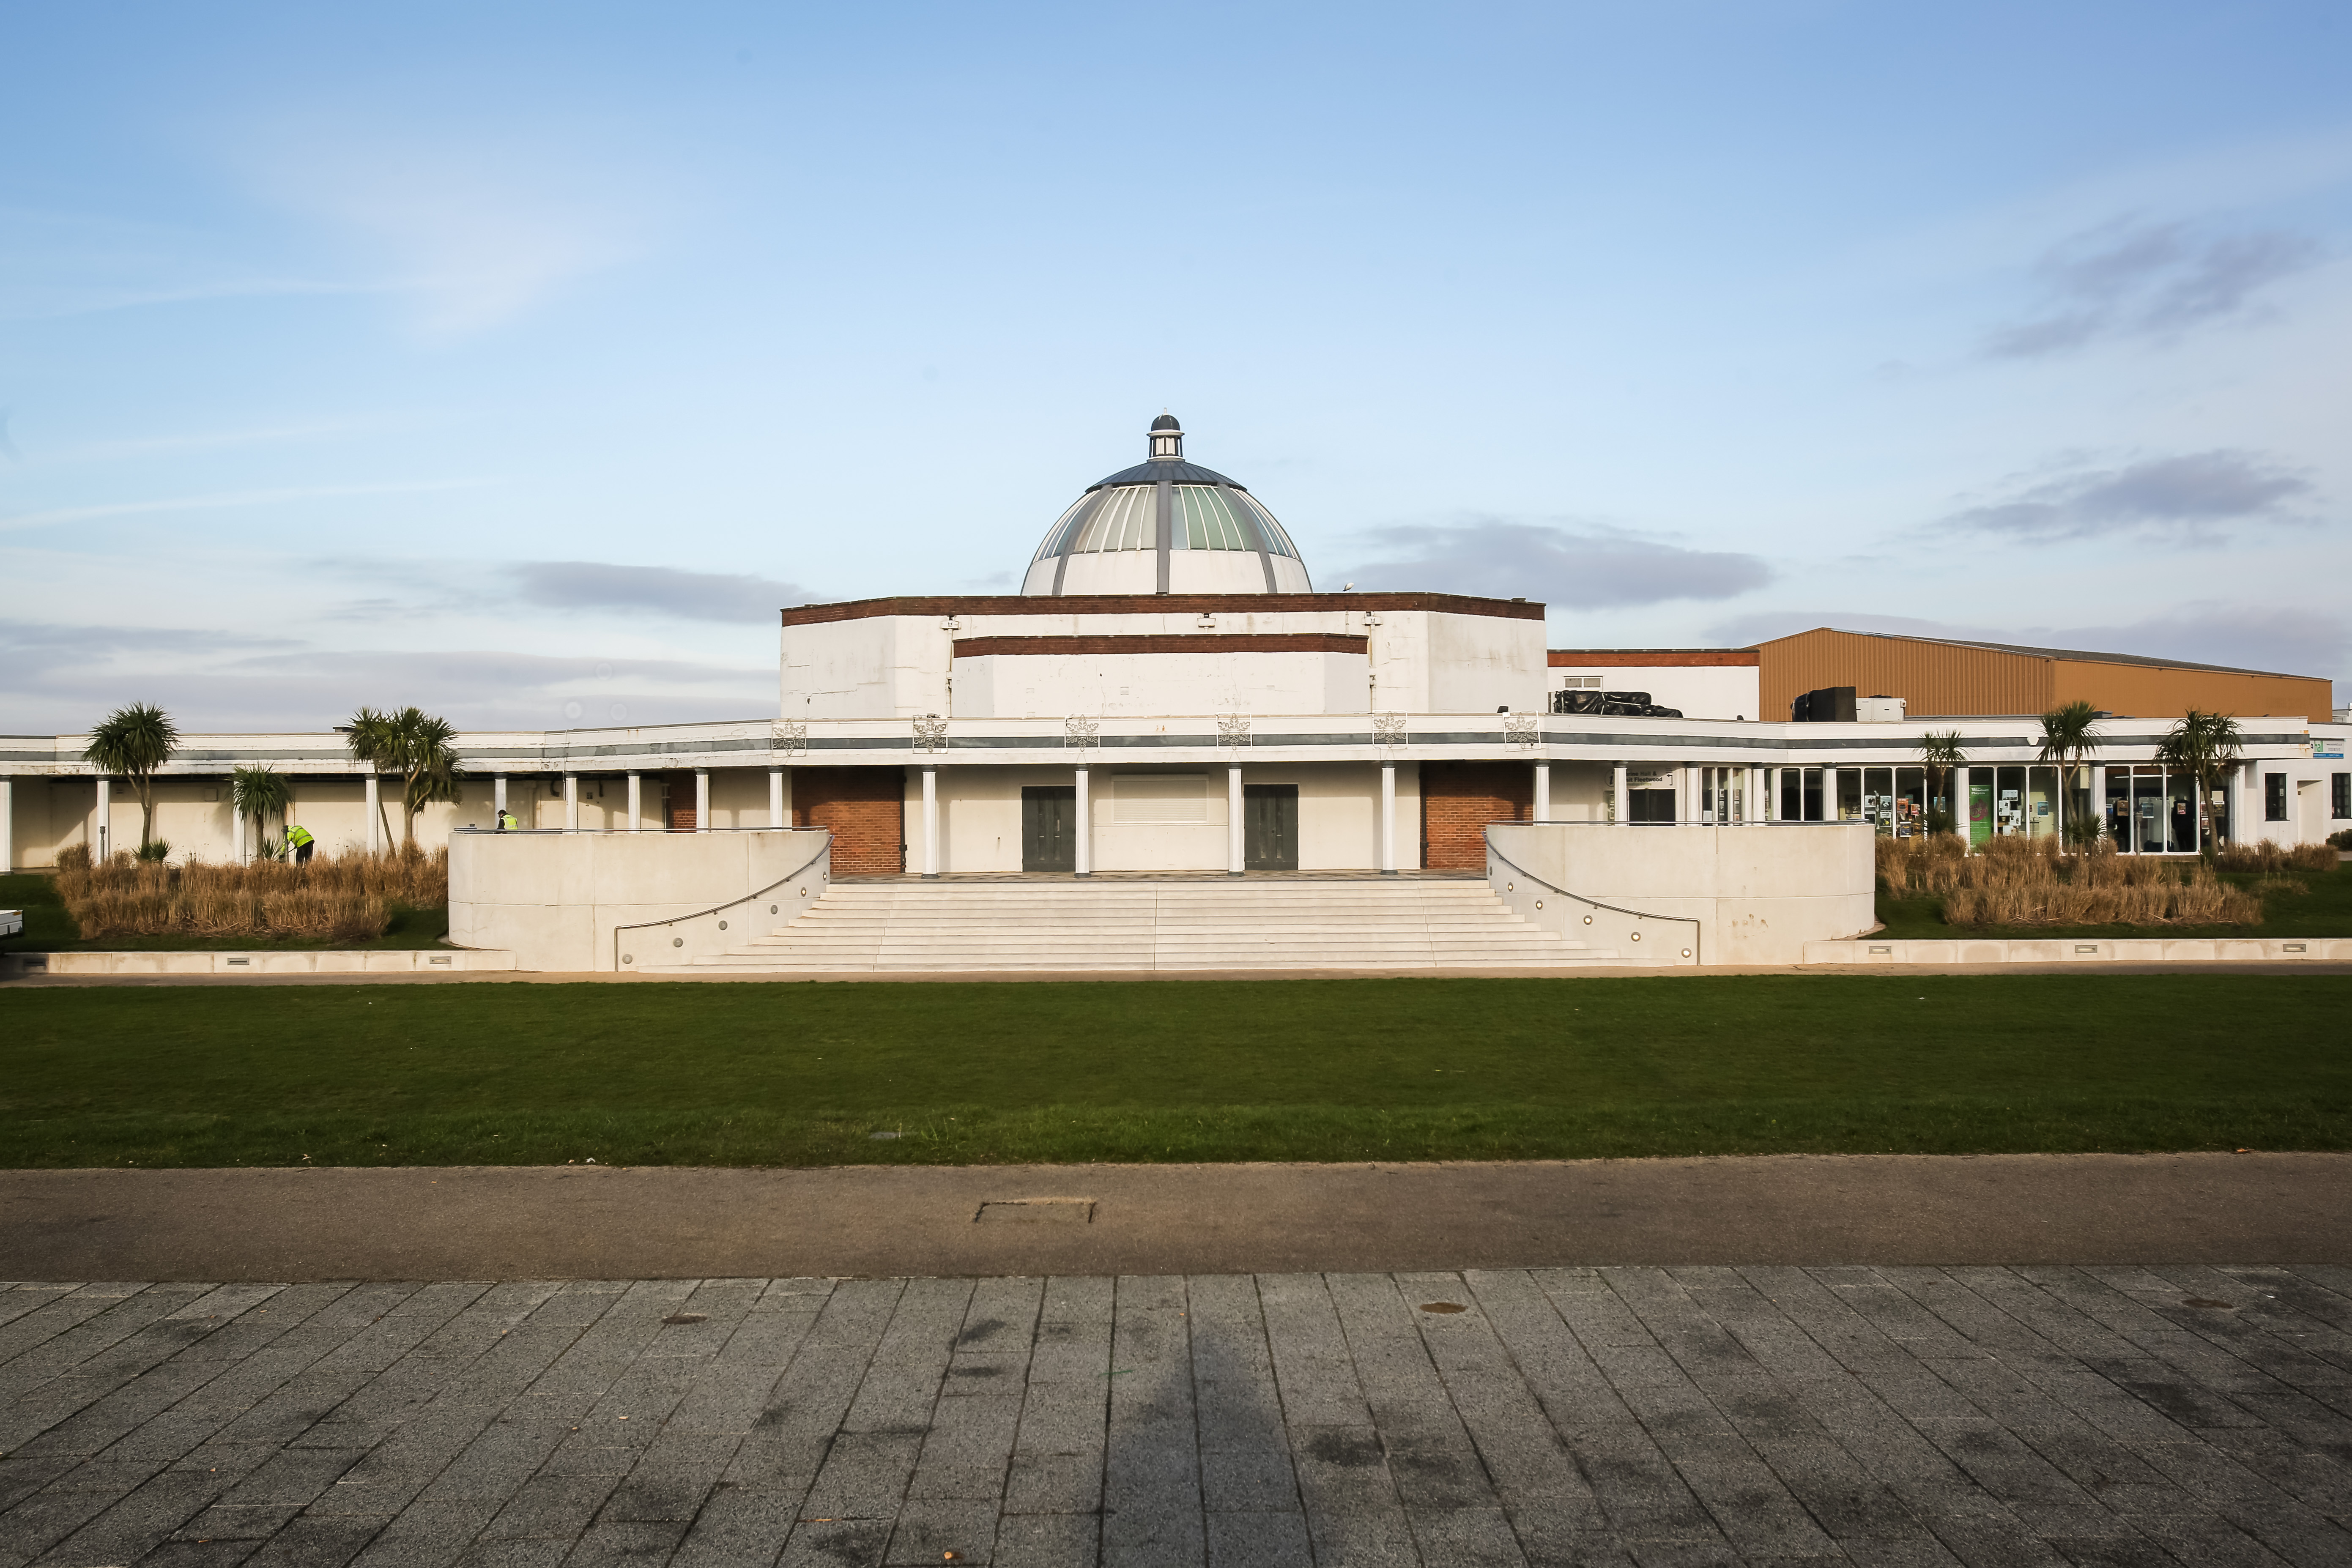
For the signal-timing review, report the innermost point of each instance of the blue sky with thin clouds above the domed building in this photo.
(523, 361)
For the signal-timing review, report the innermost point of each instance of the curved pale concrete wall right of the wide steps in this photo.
(1758, 894)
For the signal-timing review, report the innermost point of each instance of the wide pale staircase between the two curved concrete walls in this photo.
(1140, 925)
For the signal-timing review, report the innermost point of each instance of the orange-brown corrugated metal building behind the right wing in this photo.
(1996, 678)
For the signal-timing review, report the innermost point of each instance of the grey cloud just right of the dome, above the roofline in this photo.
(1575, 568)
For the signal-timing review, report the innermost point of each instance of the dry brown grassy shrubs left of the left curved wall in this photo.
(349, 899)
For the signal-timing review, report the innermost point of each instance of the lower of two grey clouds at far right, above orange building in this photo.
(2186, 497)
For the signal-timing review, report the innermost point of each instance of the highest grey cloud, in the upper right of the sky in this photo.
(2137, 279)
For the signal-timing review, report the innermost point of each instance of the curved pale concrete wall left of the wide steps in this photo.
(556, 899)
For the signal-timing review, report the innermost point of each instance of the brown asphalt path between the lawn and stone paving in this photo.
(1236, 1219)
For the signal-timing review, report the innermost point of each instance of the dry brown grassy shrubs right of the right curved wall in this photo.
(2033, 883)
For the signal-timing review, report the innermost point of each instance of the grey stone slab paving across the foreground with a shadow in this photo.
(1631, 1416)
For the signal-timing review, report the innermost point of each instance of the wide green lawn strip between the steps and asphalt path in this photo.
(754, 1073)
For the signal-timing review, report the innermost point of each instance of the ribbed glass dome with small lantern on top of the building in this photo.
(1168, 528)
